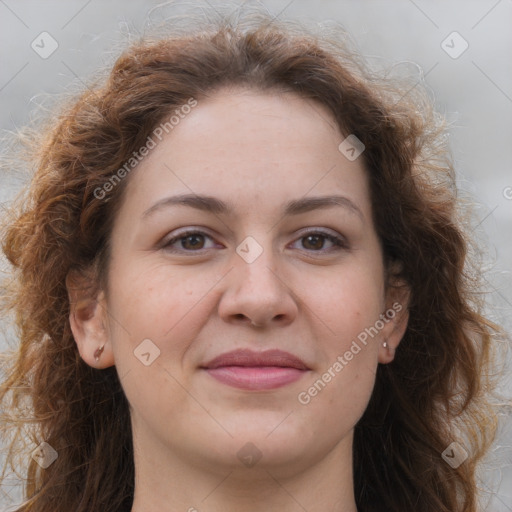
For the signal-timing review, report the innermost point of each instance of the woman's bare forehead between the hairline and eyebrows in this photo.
(255, 148)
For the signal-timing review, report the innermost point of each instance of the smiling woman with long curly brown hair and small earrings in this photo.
(241, 284)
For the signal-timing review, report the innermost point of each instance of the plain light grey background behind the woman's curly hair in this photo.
(474, 92)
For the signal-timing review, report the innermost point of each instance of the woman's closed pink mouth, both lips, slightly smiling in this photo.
(249, 370)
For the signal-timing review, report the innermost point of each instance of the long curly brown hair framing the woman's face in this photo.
(433, 393)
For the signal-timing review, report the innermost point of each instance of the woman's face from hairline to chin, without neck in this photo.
(247, 229)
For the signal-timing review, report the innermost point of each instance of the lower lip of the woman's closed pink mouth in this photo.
(256, 378)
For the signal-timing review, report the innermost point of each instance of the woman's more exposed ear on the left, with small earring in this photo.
(88, 320)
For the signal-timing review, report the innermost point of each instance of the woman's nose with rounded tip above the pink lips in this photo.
(258, 294)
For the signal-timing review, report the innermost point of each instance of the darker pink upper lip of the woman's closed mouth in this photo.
(249, 358)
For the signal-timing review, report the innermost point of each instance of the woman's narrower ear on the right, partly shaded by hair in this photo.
(395, 317)
